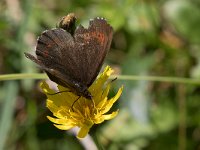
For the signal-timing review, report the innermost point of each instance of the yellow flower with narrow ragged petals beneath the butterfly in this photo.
(84, 113)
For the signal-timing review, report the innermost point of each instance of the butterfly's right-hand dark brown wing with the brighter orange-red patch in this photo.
(91, 47)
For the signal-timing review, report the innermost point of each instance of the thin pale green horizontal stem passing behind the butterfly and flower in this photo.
(119, 77)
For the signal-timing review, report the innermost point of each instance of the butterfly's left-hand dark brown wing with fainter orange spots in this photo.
(49, 50)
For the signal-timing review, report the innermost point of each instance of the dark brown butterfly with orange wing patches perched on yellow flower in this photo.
(72, 57)
